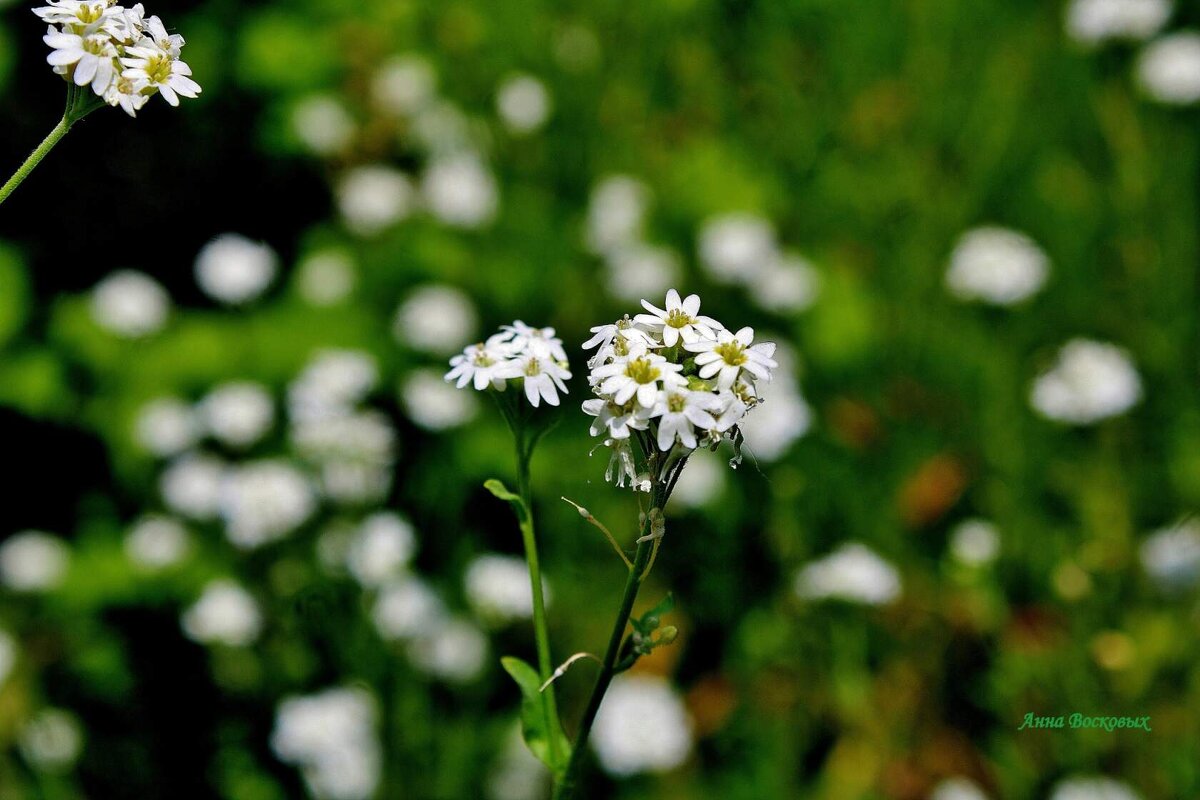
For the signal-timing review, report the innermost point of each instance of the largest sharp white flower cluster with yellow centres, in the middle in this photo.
(673, 381)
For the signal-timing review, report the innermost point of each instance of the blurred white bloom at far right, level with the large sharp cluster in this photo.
(1089, 382)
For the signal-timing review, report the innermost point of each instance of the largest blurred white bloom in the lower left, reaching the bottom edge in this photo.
(332, 737)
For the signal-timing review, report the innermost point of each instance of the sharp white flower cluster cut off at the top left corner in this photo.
(122, 55)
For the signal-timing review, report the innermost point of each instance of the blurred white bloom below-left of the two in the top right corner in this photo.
(997, 266)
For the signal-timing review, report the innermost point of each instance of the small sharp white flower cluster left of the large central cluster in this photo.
(531, 356)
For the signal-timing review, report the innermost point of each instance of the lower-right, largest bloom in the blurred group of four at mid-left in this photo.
(263, 502)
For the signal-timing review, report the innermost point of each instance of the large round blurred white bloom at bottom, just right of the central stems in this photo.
(643, 727)
